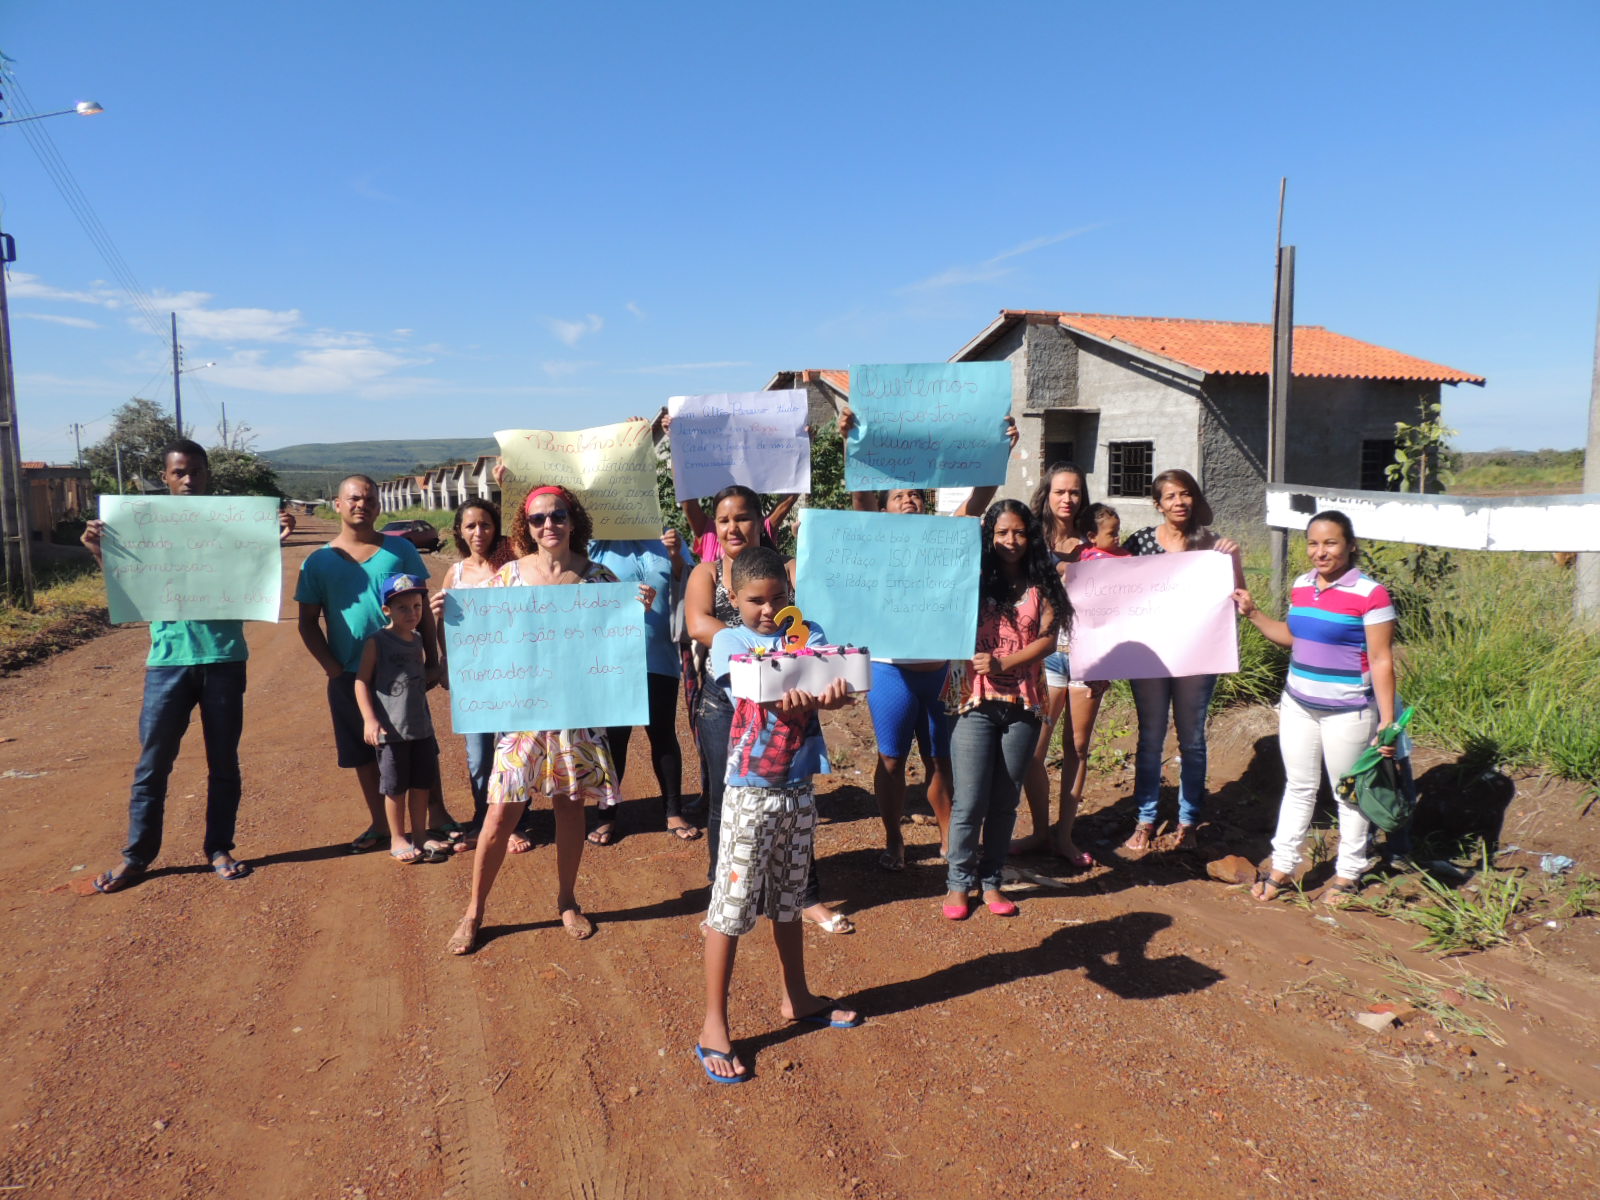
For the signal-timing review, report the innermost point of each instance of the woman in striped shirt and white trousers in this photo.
(1338, 695)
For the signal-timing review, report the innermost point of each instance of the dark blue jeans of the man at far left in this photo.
(170, 697)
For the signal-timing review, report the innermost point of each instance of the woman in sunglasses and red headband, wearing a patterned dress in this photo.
(551, 532)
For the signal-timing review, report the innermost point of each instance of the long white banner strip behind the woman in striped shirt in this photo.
(1458, 522)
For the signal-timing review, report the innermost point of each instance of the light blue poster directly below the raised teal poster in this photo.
(898, 585)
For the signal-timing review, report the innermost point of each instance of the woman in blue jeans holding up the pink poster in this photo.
(1186, 519)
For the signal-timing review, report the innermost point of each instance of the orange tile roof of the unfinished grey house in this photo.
(1246, 348)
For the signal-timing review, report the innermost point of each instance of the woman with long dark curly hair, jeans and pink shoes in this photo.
(1001, 702)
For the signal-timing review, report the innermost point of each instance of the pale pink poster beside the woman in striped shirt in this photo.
(1154, 617)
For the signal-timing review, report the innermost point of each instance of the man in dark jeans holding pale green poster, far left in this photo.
(193, 663)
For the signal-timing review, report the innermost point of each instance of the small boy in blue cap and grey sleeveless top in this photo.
(391, 689)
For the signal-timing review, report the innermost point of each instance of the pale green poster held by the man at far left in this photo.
(191, 558)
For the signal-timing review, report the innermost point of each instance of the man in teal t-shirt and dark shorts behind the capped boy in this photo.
(340, 598)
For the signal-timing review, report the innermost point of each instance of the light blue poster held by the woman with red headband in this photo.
(562, 657)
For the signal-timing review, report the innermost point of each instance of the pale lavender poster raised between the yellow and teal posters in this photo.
(756, 439)
